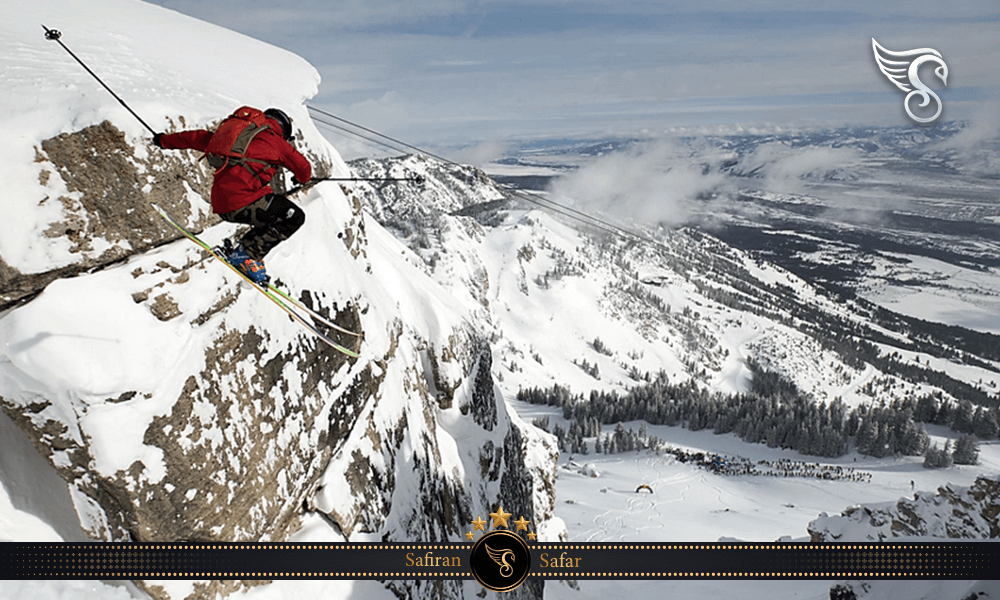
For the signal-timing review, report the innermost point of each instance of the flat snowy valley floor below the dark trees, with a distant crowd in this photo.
(691, 504)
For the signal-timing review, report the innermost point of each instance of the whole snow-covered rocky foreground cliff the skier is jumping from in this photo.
(177, 403)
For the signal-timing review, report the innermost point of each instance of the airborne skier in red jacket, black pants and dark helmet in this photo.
(246, 151)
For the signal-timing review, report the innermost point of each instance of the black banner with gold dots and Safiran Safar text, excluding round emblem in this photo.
(972, 560)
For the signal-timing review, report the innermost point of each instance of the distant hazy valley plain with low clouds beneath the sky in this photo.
(903, 217)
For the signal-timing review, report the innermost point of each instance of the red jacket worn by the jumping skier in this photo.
(234, 187)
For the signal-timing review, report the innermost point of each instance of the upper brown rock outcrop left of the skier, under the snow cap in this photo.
(96, 190)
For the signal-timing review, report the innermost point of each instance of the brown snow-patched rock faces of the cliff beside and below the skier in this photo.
(205, 485)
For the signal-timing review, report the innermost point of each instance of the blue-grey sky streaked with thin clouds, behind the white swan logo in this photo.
(454, 71)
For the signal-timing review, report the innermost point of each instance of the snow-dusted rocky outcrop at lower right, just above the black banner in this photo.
(953, 512)
